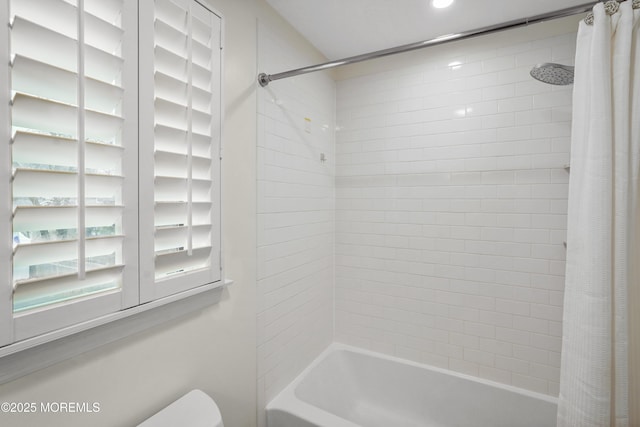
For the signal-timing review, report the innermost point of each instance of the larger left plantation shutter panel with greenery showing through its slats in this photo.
(73, 120)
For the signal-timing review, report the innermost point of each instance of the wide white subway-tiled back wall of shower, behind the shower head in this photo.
(451, 198)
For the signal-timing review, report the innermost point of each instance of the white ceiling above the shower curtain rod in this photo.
(343, 28)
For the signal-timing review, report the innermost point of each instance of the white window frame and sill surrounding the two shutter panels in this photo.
(22, 356)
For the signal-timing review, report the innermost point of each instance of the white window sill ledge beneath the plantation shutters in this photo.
(25, 357)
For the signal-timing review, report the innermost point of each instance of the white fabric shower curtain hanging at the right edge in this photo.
(599, 379)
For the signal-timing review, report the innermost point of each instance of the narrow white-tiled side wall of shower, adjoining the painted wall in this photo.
(296, 207)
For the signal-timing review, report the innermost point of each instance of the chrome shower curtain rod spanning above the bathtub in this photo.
(264, 79)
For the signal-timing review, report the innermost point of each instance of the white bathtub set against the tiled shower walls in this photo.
(349, 387)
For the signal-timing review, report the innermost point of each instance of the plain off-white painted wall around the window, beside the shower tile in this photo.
(214, 350)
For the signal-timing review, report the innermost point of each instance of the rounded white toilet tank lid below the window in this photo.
(194, 409)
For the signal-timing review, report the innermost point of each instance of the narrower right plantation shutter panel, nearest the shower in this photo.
(180, 133)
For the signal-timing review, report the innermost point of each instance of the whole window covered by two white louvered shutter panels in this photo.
(111, 158)
